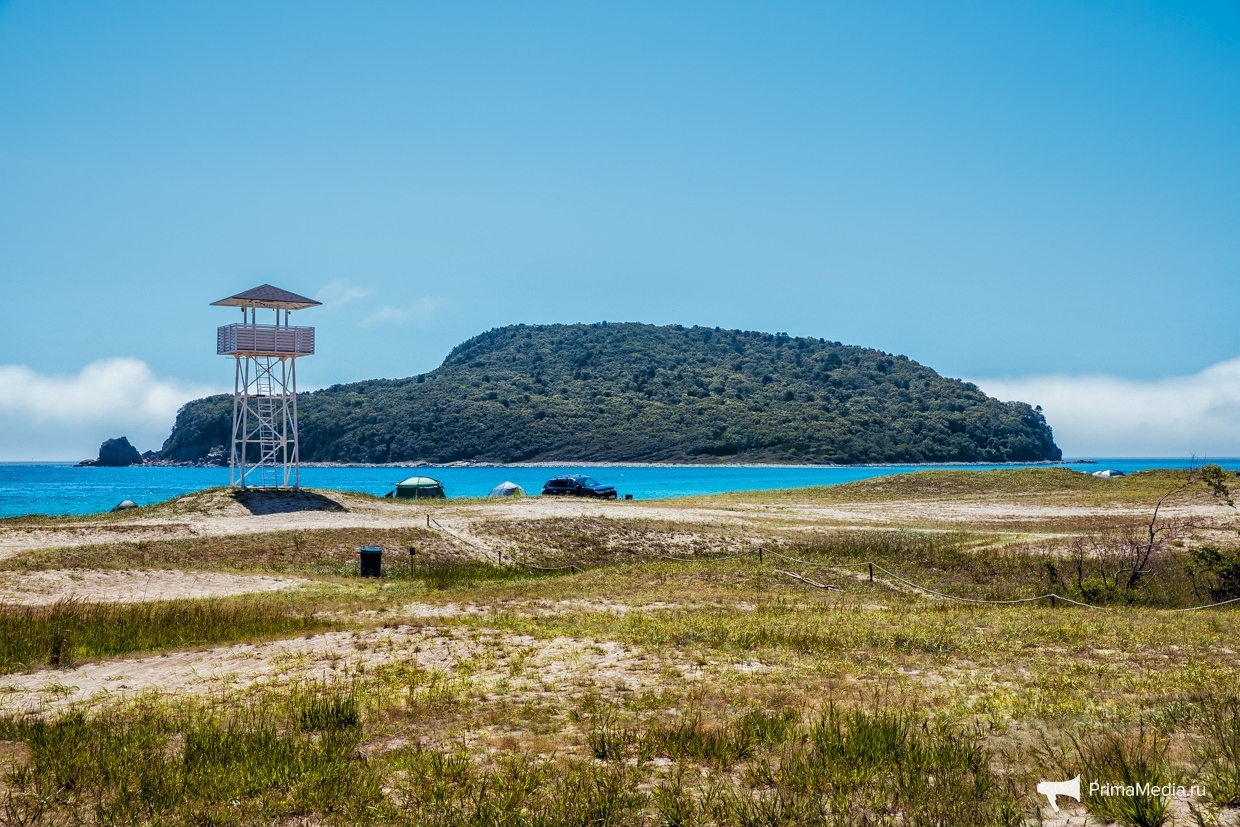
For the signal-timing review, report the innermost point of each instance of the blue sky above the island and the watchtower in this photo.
(1017, 194)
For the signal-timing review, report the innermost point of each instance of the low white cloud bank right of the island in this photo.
(1107, 416)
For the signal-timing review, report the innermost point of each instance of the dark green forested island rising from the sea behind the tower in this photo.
(635, 392)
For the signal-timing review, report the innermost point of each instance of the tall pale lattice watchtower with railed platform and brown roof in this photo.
(265, 430)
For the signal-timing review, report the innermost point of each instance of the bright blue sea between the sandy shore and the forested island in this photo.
(61, 489)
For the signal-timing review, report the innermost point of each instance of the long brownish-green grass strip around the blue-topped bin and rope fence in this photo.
(975, 565)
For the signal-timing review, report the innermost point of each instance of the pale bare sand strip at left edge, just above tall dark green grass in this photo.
(42, 588)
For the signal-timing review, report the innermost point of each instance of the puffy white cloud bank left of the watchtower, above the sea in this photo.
(66, 417)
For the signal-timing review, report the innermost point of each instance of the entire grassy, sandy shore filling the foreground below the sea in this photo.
(680, 675)
